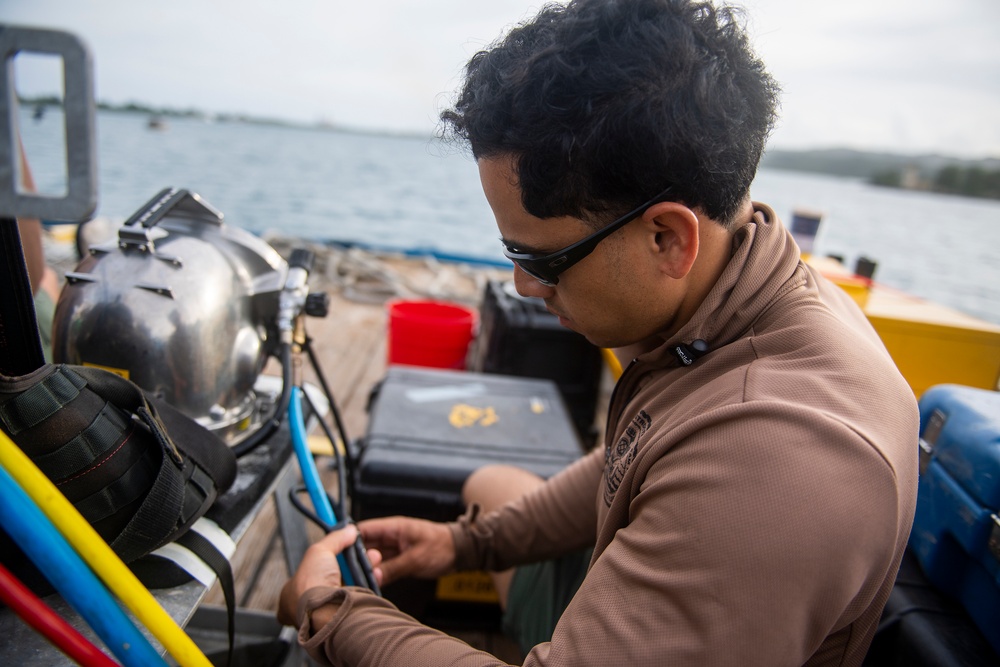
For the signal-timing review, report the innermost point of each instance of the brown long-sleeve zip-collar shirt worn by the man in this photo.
(748, 509)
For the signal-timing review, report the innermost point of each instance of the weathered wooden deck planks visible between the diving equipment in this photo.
(351, 348)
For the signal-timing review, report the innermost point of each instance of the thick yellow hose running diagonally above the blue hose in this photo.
(99, 556)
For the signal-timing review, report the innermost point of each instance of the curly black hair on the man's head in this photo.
(604, 103)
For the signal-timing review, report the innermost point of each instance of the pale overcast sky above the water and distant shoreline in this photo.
(910, 76)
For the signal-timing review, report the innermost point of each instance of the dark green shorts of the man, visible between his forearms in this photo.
(539, 594)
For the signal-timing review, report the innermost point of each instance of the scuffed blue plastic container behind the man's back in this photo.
(956, 530)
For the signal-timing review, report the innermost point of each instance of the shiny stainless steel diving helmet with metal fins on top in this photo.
(182, 304)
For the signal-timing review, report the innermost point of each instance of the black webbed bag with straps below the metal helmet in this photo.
(137, 469)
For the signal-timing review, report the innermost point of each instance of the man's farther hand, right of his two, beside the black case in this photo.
(409, 548)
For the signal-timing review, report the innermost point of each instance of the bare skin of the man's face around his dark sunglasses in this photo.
(607, 296)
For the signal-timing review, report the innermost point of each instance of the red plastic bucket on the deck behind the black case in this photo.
(430, 333)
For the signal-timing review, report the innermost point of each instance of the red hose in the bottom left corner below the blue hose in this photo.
(50, 625)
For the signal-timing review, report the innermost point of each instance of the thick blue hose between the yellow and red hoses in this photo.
(49, 551)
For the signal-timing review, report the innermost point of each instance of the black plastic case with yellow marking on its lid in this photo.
(429, 429)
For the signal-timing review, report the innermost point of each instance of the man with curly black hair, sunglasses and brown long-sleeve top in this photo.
(752, 501)
